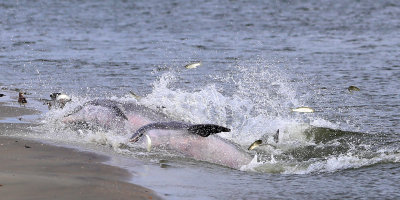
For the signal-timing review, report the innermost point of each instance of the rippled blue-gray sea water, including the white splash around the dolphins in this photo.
(259, 59)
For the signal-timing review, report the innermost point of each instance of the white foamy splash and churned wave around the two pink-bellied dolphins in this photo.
(254, 101)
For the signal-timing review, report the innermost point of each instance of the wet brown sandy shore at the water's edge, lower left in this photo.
(34, 170)
